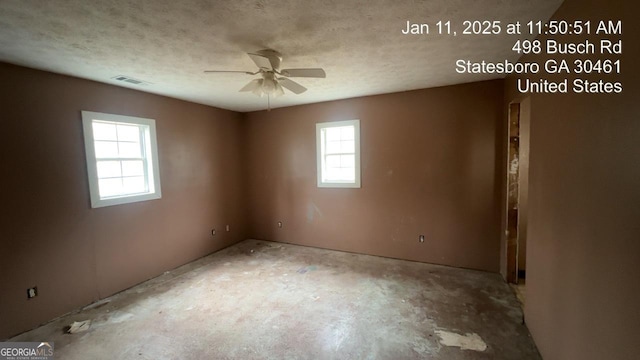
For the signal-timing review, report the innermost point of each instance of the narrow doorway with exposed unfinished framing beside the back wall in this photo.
(517, 195)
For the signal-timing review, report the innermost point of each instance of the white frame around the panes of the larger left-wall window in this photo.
(149, 156)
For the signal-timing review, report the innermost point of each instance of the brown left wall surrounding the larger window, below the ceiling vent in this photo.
(50, 236)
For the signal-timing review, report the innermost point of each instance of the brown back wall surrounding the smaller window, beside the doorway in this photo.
(429, 166)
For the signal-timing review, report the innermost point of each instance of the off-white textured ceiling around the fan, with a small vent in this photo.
(169, 43)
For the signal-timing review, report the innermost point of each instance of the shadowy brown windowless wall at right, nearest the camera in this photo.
(584, 204)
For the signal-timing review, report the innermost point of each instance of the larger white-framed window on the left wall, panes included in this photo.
(122, 158)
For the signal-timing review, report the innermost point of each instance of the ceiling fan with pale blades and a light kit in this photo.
(273, 78)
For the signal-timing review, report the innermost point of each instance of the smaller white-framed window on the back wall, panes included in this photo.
(338, 151)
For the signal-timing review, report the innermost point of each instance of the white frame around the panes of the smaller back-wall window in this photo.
(320, 154)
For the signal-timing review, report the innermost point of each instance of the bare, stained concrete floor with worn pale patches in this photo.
(265, 300)
